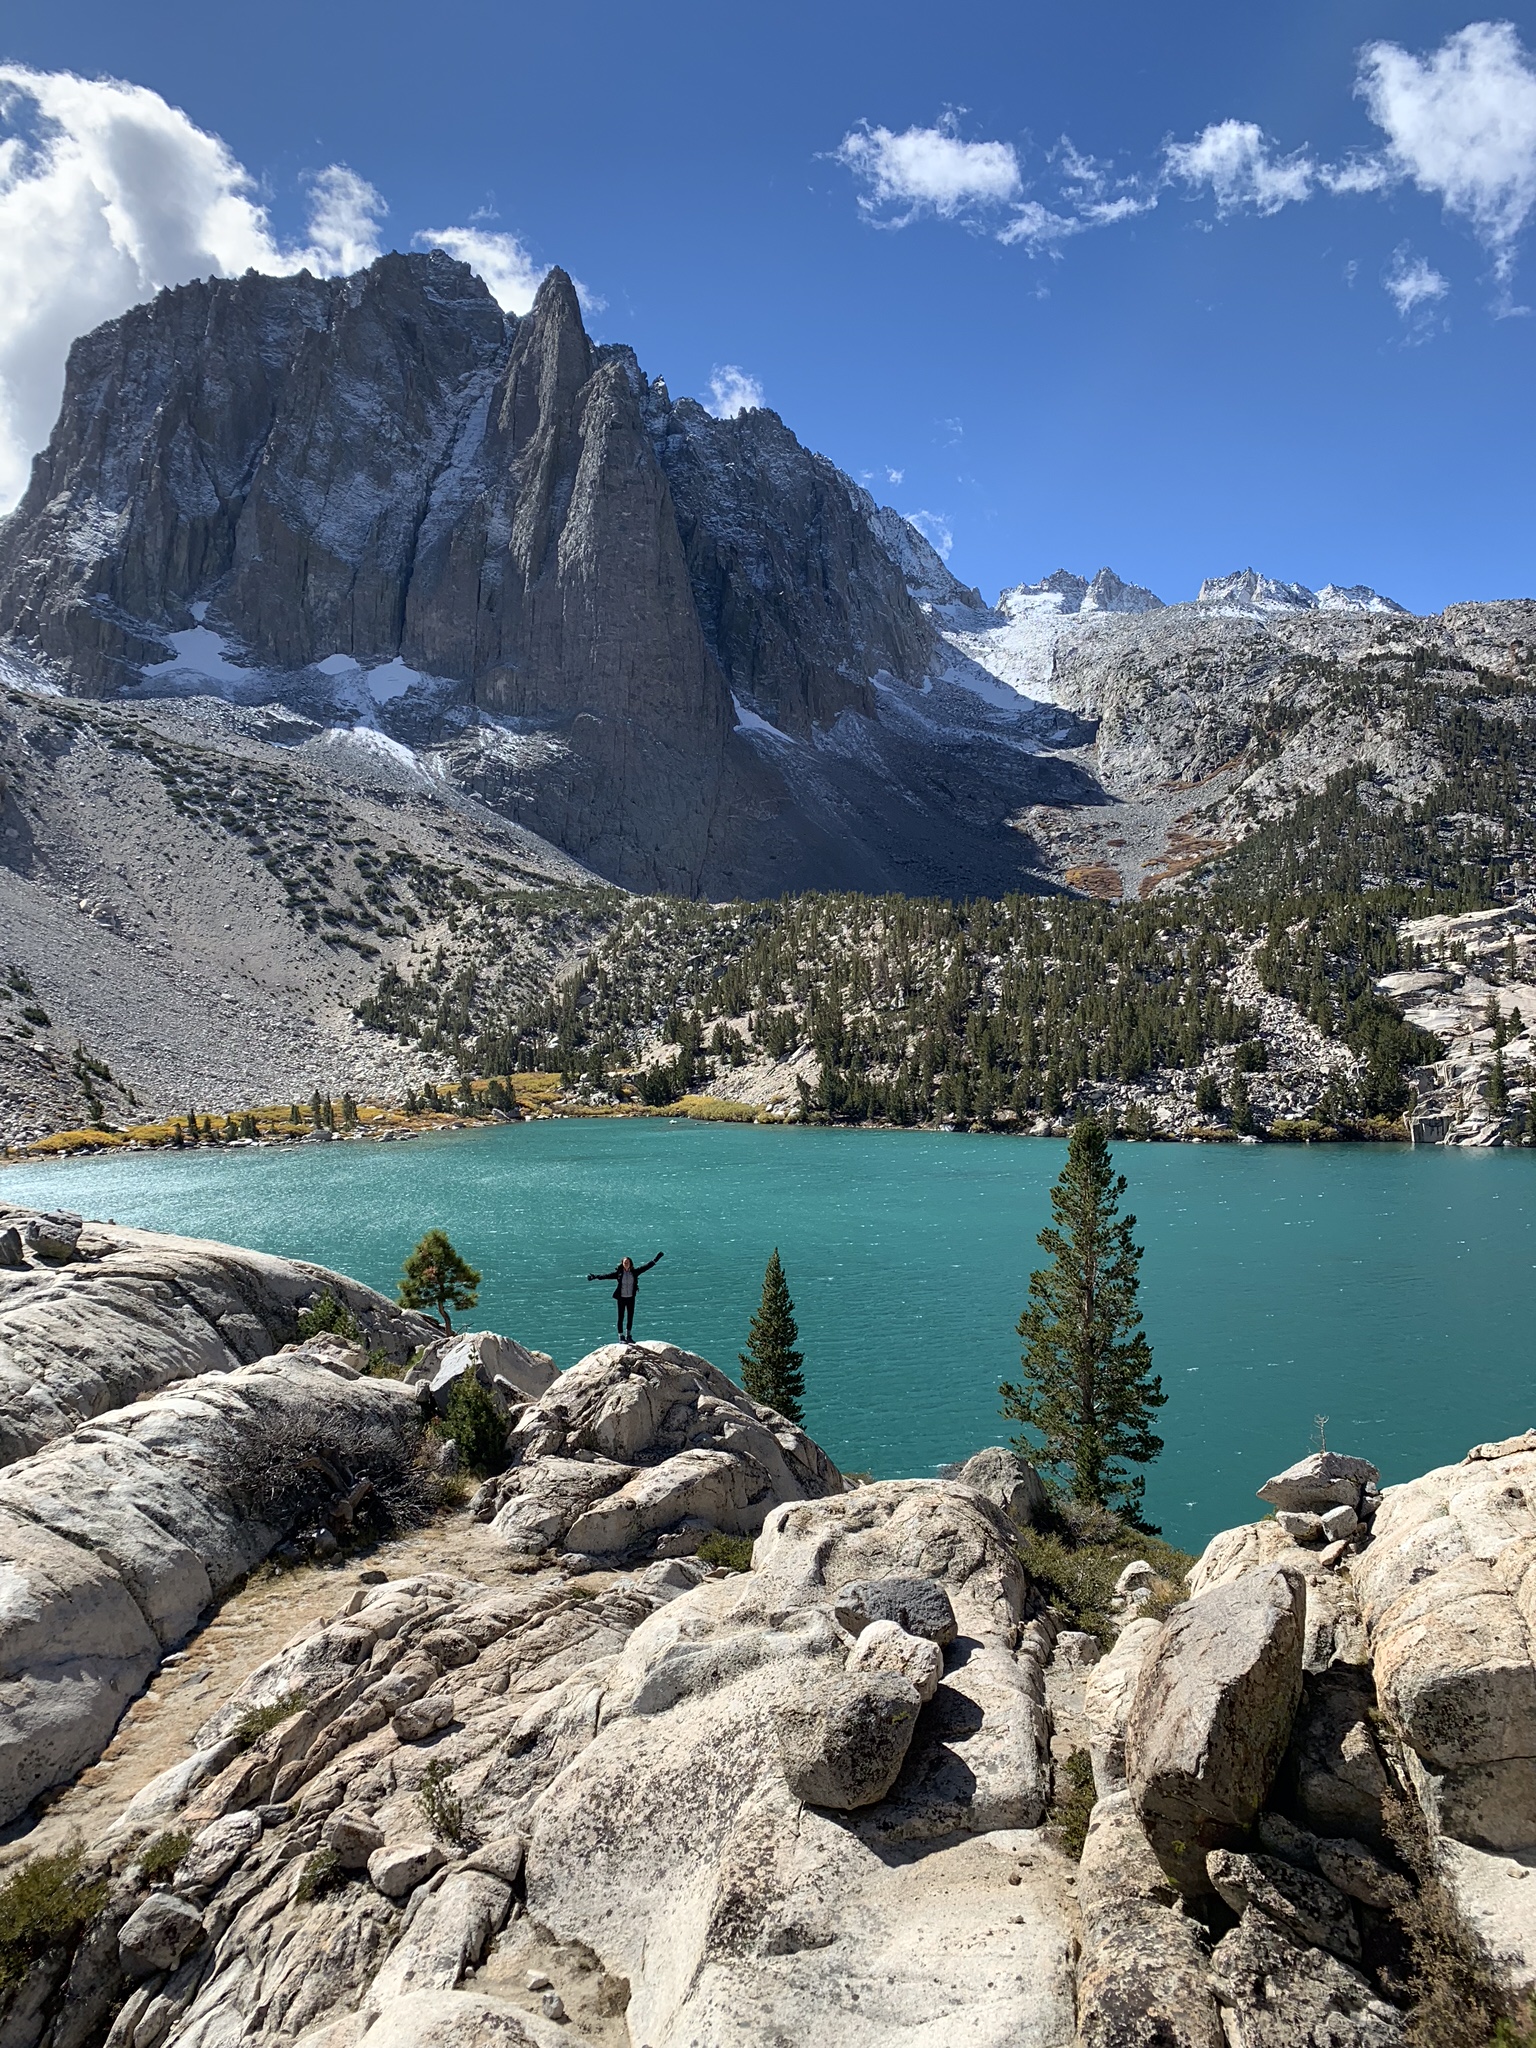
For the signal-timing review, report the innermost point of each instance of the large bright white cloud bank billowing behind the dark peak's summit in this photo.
(108, 194)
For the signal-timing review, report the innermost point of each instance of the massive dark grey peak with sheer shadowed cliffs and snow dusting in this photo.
(388, 468)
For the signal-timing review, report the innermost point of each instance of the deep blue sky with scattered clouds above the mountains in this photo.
(1302, 351)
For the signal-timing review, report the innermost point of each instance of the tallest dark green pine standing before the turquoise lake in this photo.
(1089, 1388)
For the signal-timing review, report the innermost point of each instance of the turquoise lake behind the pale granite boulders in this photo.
(1390, 1289)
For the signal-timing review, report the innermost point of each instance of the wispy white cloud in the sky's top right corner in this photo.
(1461, 124)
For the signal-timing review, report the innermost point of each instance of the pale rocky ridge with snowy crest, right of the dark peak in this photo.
(1201, 722)
